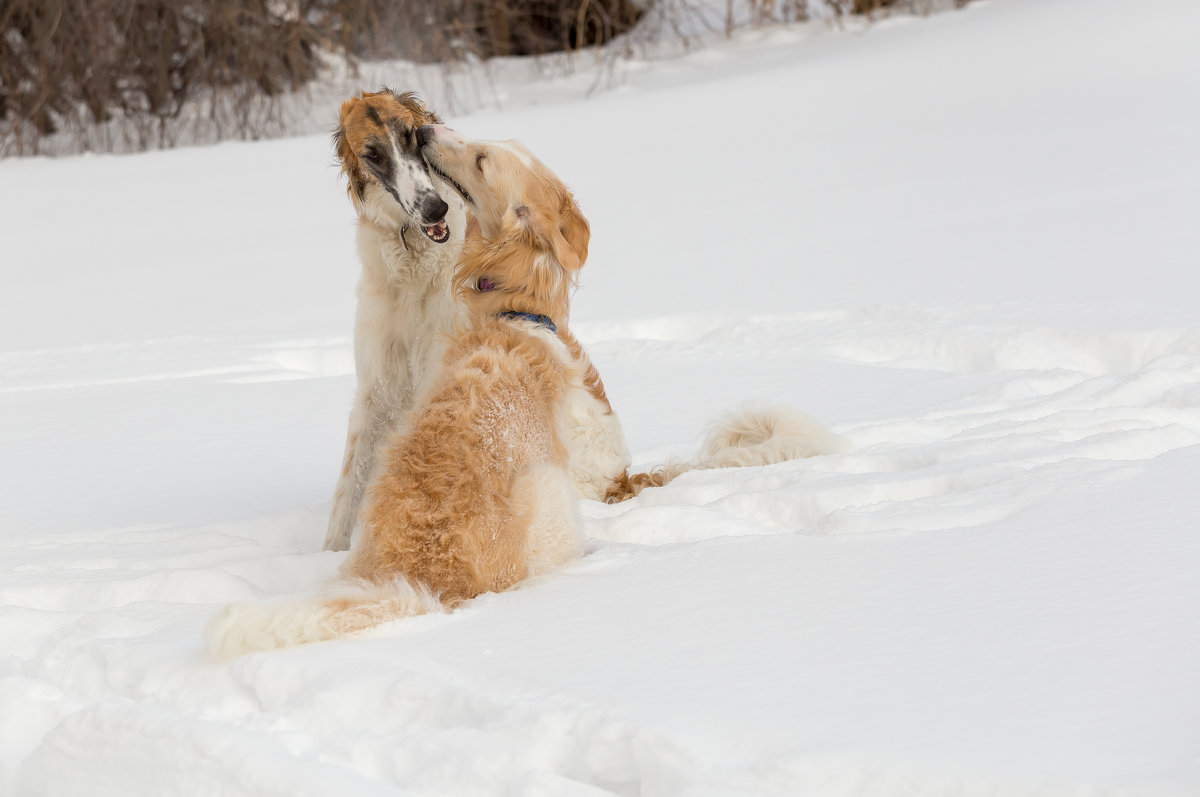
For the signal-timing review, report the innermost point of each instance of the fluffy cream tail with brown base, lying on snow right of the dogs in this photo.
(745, 438)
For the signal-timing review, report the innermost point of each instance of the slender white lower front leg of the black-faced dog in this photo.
(369, 421)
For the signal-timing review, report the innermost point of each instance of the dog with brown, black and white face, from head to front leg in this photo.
(409, 241)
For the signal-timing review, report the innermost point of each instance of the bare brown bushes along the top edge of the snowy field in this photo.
(79, 65)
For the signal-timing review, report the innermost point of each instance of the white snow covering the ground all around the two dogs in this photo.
(967, 243)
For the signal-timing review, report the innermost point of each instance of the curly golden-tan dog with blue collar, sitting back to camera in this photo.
(477, 493)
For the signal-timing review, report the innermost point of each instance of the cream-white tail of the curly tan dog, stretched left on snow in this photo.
(349, 608)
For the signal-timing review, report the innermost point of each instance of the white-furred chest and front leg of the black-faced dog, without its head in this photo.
(406, 304)
